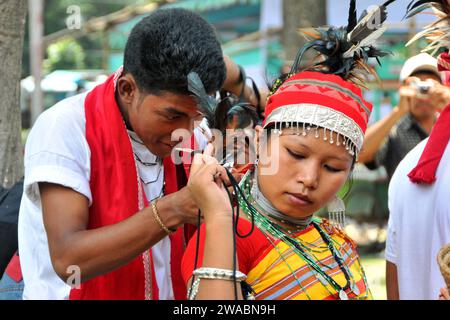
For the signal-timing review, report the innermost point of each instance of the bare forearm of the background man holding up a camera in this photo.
(376, 134)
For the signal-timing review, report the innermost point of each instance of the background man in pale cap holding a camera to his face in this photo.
(421, 95)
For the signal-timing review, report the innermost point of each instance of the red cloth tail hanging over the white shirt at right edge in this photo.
(425, 171)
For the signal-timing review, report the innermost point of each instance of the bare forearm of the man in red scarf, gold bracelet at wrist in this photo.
(99, 251)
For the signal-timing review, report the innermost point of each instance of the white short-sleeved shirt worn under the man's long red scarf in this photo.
(57, 152)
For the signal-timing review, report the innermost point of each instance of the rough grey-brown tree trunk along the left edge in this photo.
(12, 24)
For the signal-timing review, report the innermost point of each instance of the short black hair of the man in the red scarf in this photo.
(164, 47)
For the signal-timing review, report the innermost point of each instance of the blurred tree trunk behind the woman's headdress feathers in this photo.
(299, 14)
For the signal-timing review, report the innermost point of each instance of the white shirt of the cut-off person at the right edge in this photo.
(419, 226)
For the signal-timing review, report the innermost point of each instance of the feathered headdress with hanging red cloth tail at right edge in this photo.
(438, 33)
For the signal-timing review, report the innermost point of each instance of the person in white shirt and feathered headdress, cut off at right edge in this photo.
(419, 193)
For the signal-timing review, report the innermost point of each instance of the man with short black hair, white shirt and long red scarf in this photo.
(104, 209)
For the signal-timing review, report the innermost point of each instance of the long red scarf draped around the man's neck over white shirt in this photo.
(114, 186)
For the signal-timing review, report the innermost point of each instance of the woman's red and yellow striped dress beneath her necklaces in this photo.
(276, 272)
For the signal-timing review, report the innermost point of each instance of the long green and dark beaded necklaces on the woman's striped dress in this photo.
(268, 227)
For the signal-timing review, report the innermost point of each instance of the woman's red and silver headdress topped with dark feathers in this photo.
(328, 95)
